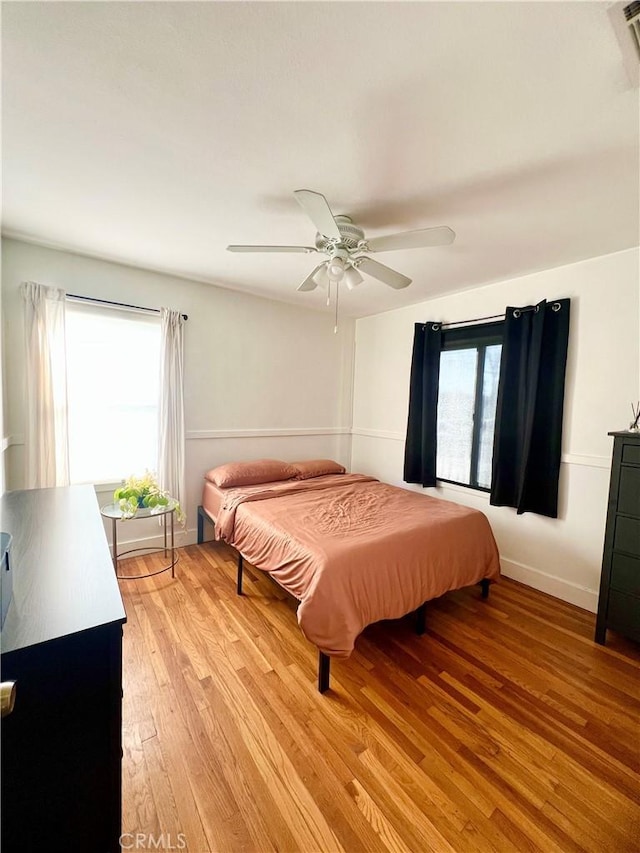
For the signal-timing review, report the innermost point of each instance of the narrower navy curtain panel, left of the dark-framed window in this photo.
(420, 446)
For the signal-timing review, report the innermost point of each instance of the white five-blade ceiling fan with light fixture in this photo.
(347, 248)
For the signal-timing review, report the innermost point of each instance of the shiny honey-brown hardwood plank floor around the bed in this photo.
(503, 728)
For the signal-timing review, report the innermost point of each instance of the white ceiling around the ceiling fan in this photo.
(157, 133)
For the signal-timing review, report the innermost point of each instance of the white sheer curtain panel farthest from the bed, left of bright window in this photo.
(46, 434)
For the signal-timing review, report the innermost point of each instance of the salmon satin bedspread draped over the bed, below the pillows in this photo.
(354, 550)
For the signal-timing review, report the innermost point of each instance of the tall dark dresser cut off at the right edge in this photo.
(619, 602)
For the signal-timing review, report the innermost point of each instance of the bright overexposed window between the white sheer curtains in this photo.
(113, 359)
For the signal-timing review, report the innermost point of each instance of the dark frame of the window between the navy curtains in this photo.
(471, 337)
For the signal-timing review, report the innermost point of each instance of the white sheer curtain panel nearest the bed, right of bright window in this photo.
(171, 411)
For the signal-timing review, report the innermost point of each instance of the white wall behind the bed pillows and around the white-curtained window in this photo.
(262, 378)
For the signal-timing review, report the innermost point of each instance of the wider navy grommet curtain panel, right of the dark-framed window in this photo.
(528, 433)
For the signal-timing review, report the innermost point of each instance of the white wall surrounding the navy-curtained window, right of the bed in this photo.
(560, 556)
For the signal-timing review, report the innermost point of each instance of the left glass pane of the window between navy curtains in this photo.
(456, 396)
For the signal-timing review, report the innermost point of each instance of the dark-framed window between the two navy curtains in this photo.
(467, 396)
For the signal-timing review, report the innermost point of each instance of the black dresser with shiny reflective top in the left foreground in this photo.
(62, 645)
